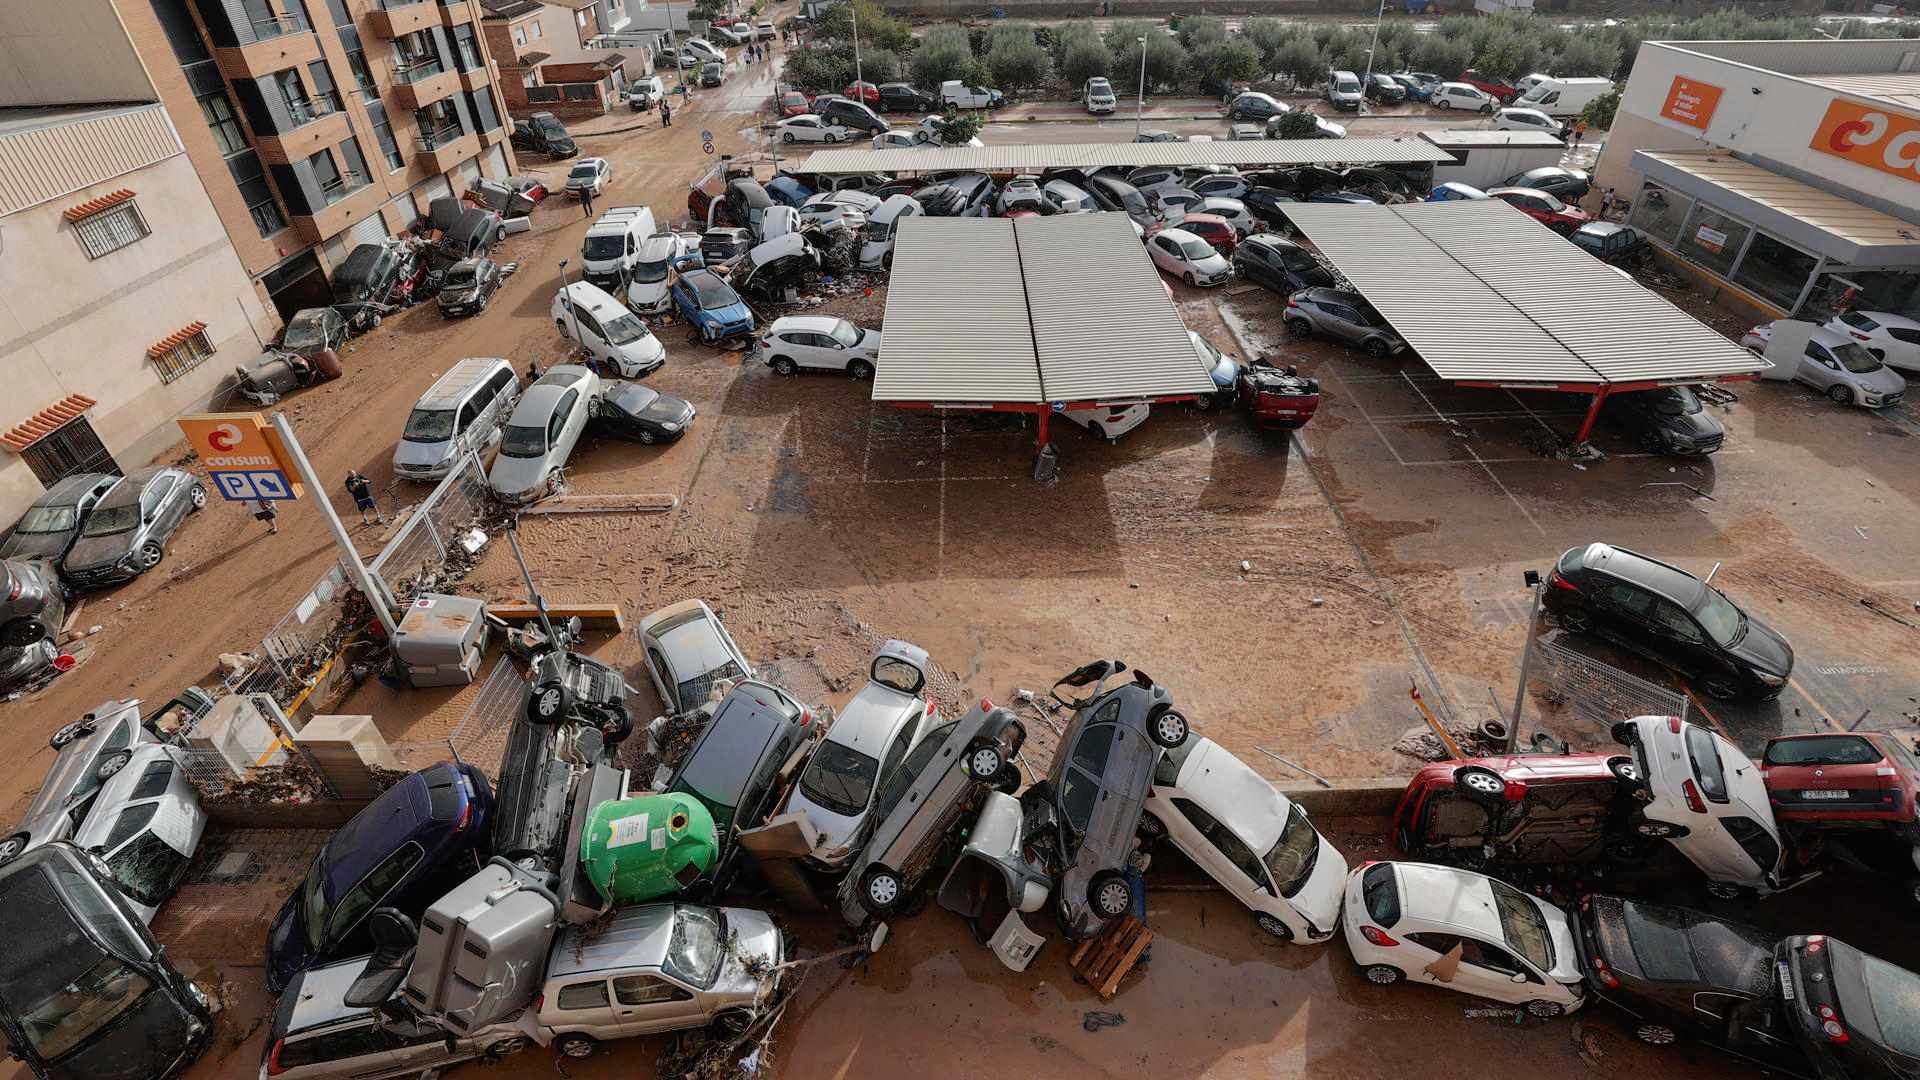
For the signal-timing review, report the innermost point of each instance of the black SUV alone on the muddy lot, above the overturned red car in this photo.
(1671, 618)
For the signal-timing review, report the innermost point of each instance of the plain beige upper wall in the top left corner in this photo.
(59, 53)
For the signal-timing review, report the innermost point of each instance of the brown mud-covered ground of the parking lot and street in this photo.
(1381, 545)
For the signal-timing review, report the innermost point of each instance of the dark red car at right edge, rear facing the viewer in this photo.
(1842, 779)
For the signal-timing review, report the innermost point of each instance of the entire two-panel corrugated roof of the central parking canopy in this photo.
(1032, 310)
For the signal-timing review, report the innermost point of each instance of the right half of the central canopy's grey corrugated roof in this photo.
(1103, 320)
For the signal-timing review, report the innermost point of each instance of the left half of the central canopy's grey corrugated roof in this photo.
(957, 316)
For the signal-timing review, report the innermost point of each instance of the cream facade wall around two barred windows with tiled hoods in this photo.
(80, 326)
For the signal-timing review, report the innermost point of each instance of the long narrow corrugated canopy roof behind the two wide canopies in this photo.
(1251, 153)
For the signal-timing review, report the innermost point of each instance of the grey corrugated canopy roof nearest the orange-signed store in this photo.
(1485, 293)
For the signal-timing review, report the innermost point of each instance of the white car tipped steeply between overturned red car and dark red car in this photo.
(1708, 800)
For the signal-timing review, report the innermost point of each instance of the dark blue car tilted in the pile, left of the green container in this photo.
(406, 850)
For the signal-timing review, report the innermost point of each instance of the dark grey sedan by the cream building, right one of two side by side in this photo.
(128, 531)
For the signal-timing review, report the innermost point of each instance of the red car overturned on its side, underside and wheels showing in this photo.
(1522, 810)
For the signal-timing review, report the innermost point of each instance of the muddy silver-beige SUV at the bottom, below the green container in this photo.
(658, 968)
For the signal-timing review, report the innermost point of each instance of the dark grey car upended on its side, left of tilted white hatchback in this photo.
(1084, 818)
